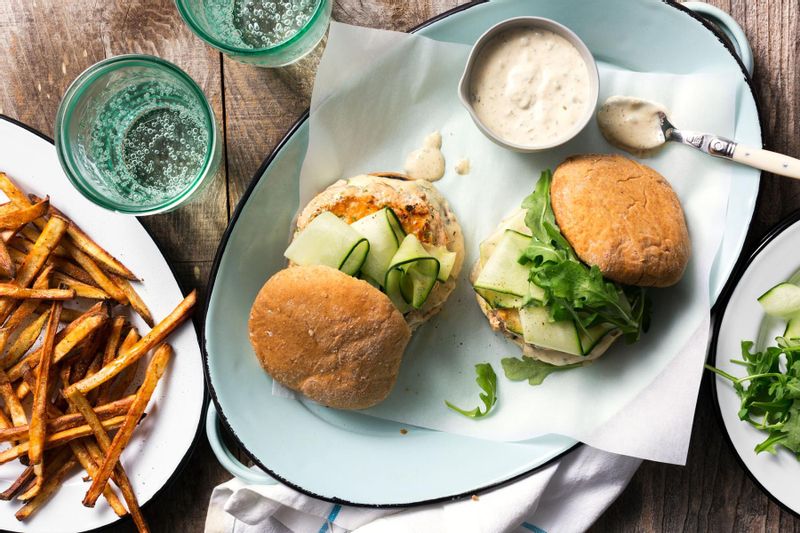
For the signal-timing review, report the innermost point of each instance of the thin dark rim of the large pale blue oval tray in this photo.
(251, 187)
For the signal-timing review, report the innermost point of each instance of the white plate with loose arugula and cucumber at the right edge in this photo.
(742, 318)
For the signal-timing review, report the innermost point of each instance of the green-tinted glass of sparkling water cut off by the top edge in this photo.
(267, 33)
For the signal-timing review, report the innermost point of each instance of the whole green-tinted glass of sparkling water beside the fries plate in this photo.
(135, 134)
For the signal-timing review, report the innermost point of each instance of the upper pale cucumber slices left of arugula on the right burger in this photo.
(503, 281)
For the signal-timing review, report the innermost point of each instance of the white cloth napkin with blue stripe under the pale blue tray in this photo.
(567, 496)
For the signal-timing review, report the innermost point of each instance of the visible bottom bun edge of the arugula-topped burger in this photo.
(499, 318)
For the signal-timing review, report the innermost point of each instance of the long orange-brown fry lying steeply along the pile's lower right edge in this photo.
(156, 368)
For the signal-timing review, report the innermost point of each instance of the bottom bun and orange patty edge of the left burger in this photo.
(421, 209)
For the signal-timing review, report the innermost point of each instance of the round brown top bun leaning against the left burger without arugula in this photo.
(330, 336)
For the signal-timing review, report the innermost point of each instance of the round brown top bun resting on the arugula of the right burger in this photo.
(623, 217)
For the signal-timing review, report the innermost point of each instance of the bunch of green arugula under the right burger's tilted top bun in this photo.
(573, 290)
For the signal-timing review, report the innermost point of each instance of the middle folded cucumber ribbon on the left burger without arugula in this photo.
(384, 233)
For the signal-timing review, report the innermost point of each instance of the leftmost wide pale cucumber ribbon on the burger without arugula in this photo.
(329, 240)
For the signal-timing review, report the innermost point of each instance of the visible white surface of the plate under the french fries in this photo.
(162, 442)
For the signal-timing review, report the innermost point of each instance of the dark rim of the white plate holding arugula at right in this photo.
(717, 316)
